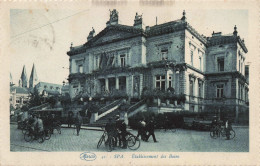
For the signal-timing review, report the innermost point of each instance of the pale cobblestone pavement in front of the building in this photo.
(180, 141)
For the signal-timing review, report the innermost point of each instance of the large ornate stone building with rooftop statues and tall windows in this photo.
(208, 70)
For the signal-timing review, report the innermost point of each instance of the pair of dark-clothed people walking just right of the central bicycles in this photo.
(144, 128)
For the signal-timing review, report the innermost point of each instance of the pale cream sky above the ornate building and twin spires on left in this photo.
(43, 37)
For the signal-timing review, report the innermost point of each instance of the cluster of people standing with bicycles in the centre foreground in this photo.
(117, 130)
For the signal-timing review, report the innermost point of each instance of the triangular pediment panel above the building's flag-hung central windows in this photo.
(110, 36)
